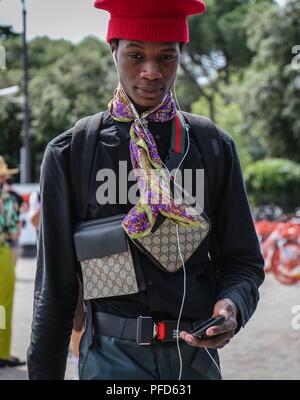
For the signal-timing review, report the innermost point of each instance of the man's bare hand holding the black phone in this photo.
(225, 331)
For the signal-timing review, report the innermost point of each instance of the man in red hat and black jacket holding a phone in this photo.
(223, 275)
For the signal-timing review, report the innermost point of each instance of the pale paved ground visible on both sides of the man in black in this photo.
(268, 348)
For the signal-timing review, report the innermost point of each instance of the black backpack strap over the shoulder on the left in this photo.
(83, 148)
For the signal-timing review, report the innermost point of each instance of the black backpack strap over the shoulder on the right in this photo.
(209, 143)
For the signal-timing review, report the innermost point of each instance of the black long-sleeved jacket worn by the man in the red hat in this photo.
(228, 264)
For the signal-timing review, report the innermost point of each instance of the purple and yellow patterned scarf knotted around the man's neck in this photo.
(153, 184)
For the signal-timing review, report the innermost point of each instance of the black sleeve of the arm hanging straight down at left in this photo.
(56, 284)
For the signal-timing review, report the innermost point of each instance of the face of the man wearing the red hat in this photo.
(147, 70)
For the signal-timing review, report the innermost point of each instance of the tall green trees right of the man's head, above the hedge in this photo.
(246, 51)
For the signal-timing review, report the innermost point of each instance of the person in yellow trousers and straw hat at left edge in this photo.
(9, 231)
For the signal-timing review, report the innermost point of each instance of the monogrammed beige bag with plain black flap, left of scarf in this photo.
(109, 262)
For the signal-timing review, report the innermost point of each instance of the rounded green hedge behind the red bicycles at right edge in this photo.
(274, 180)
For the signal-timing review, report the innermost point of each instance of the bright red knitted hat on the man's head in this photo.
(165, 21)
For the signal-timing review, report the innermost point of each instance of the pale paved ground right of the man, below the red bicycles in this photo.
(268, 347)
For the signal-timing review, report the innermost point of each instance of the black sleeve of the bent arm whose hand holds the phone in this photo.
(236, 248)
